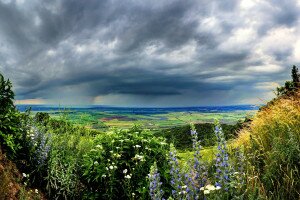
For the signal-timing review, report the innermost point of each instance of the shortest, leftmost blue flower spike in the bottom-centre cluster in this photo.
(156, 193)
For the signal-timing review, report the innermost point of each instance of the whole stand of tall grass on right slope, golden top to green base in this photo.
(273, 144)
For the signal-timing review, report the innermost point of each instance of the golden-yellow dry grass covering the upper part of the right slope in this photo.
(275, 120)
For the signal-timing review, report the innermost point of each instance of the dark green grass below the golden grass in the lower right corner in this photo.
(279, 167)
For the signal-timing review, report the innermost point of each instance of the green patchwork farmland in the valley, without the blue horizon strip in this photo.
(106, 120)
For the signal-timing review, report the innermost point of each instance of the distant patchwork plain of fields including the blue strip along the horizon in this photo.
(148, 118)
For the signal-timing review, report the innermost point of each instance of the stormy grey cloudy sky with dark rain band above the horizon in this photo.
(148, 53)
